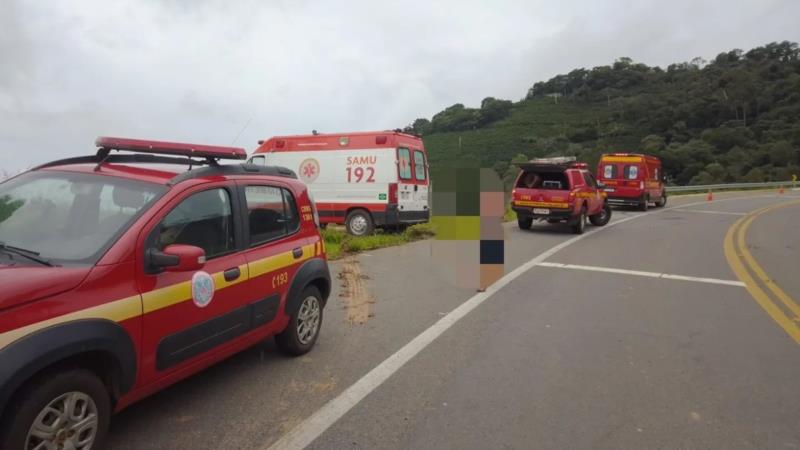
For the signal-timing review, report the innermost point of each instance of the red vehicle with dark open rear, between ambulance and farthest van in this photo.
(558, 190)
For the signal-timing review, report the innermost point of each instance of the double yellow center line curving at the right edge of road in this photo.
(740, 259)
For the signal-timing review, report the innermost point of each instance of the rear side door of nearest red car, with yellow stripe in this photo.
(275, 247)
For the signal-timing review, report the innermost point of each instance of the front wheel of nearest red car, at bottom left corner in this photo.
(77, 389)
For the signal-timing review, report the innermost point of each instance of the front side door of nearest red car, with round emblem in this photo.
(190, 314)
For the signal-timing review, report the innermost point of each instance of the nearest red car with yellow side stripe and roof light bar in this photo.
(120, 279)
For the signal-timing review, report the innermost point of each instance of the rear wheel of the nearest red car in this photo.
(296, 339)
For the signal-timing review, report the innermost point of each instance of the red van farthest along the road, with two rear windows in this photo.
(632, 179)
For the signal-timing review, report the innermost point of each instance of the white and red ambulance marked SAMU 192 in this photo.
(362, 180)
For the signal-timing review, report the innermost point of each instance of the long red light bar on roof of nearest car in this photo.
(171, 148)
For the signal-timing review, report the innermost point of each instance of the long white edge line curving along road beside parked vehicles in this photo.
(313, 426)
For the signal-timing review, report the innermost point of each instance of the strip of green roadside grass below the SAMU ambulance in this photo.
(339, 244)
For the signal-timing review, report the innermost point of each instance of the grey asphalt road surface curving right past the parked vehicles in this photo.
(639, 335)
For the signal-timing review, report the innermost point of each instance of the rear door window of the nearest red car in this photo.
(272, 213)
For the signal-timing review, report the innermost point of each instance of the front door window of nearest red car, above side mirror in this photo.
(203, 220)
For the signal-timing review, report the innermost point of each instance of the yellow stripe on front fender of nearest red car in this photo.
(116, 311)
